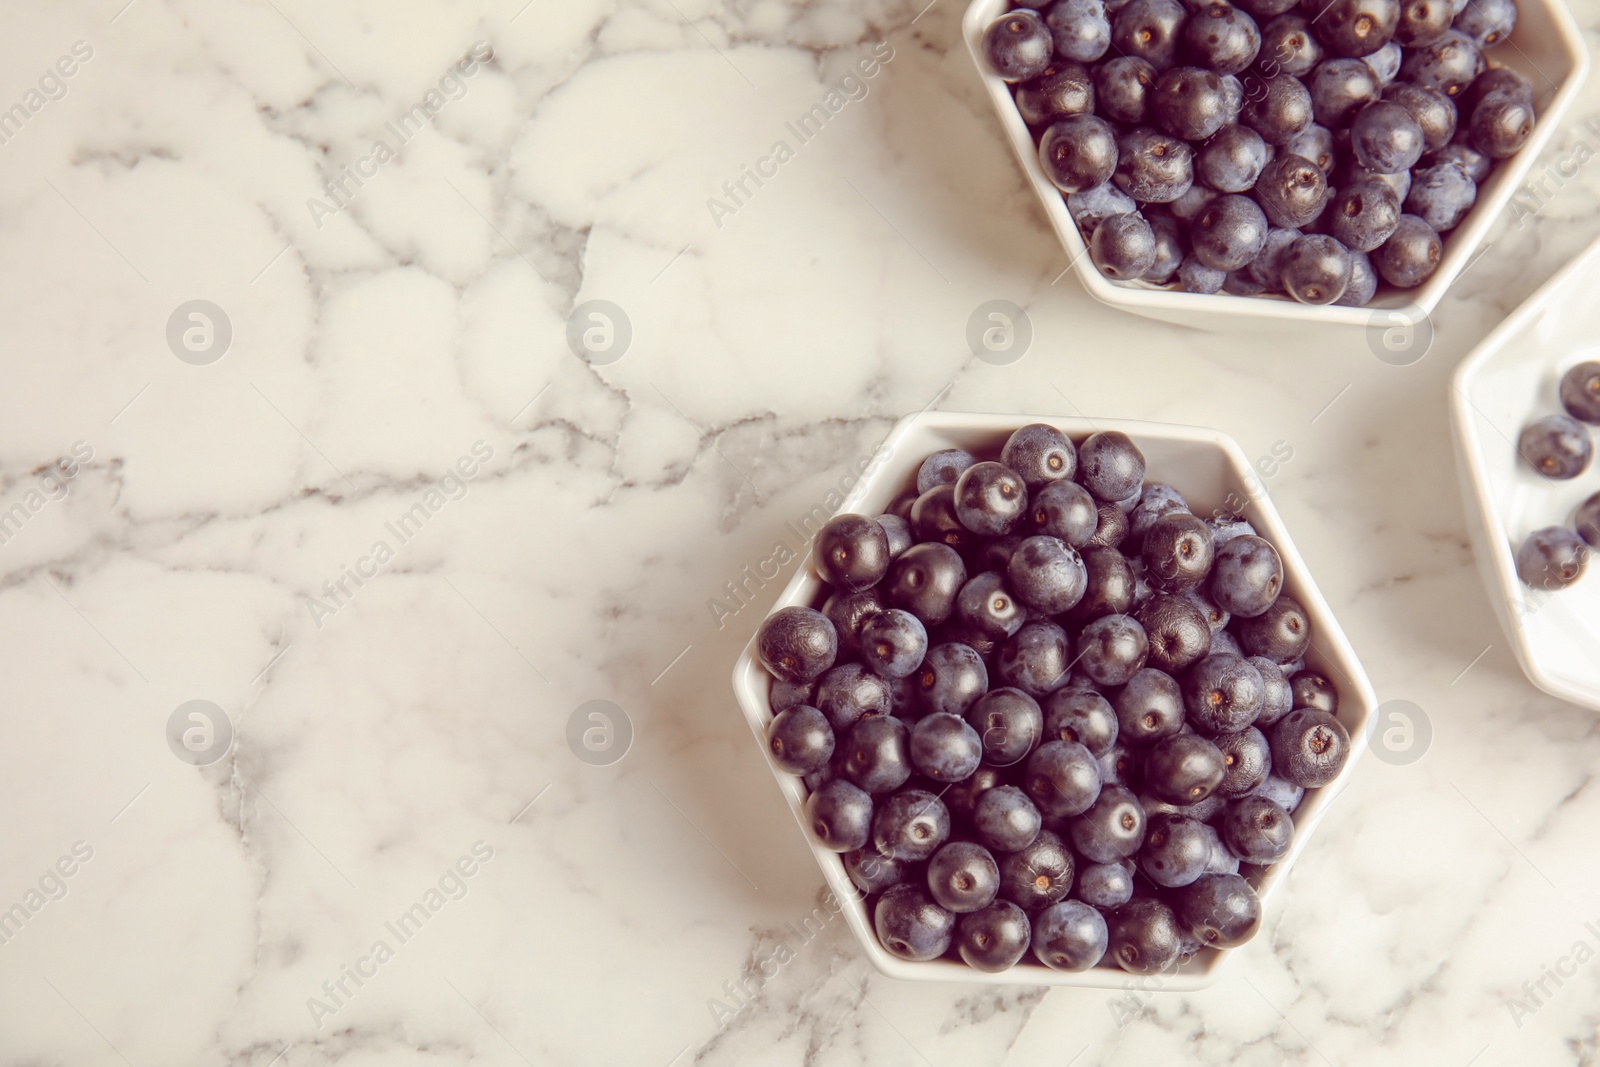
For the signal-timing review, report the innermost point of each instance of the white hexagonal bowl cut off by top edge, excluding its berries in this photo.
(1546, 47)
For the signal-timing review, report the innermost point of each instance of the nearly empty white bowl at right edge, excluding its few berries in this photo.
(1508, 382)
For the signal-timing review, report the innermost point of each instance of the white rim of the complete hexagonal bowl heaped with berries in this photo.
(751, 687)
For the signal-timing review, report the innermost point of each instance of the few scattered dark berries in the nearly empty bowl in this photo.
(1559, 447)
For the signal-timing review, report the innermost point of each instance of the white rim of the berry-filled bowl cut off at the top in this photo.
(1462, 244)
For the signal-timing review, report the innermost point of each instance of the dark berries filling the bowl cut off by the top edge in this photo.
(1281, 146)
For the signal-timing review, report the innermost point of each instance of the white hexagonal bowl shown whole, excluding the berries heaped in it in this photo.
(1209, 468)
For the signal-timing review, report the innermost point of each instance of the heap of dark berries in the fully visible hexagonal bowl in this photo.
(1047, 708)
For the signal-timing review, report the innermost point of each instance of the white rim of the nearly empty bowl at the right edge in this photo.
(1492, 541)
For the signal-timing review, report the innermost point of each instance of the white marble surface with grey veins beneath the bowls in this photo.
(383, 738)
